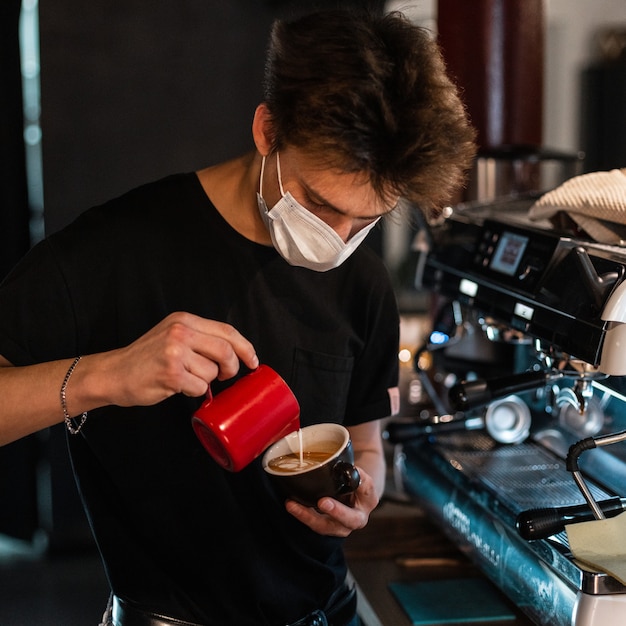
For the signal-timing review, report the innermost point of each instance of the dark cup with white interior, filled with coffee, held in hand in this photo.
(312, 463)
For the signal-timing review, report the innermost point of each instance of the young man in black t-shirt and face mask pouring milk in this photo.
(195, 279)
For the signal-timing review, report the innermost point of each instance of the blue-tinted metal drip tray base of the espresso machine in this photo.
(475, 488)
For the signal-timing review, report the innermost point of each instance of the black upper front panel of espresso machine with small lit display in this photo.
(541, 282)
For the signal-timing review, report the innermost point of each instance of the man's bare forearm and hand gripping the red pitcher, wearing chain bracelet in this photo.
(181, 354)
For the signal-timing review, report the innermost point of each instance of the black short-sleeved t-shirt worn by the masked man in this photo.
(178, 534)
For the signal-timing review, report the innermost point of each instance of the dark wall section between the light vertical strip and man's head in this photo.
(133, 90)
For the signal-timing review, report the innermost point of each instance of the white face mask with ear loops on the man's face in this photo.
(301, 238)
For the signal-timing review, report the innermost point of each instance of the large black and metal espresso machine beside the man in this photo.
(525, 359)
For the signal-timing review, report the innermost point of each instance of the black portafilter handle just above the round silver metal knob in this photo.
(468, 395)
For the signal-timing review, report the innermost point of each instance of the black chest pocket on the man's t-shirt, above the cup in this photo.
(321, 383)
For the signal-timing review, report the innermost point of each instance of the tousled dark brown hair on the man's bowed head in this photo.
(369, 93)
